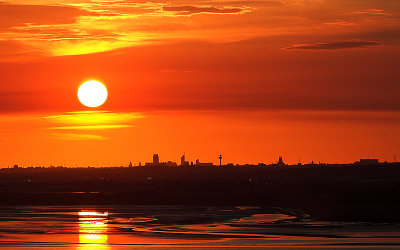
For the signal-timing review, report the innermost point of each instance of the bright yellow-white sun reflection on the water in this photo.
(93, 230)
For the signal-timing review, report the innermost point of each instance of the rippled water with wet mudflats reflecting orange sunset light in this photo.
(170, 227)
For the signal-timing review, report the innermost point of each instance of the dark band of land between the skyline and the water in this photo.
(346, 193)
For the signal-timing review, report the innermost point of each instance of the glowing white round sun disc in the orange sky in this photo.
(92, 93)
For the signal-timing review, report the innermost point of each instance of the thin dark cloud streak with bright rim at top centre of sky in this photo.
(190, 10)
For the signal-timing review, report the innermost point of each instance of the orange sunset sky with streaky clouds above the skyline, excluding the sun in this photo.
(252, 80)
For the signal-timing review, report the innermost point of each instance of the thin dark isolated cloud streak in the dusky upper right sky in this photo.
(334, 45)
